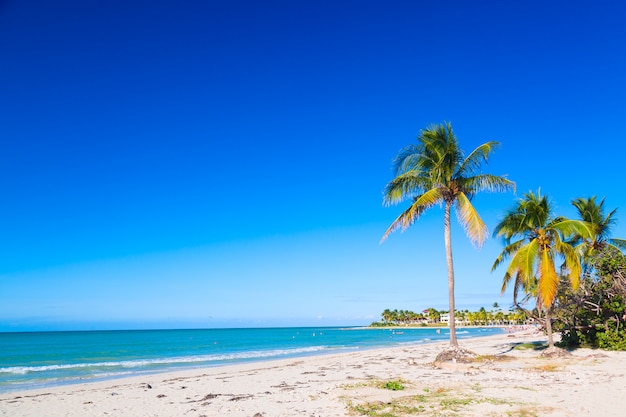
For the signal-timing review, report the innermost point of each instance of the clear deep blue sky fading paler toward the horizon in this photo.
(210, 164)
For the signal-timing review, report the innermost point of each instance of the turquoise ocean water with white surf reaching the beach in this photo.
(41, 359)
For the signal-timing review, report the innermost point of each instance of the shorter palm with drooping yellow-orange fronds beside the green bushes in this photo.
(534, 239)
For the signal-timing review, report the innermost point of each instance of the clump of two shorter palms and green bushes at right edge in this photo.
(591, 309)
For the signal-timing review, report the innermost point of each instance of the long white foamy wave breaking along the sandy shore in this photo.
(143, 363)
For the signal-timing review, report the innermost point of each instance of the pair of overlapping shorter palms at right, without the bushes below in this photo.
(542, 248)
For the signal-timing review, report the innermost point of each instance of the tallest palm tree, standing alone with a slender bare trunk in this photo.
(435, 171)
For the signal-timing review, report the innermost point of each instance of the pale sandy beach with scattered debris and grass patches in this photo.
(506, 381)
